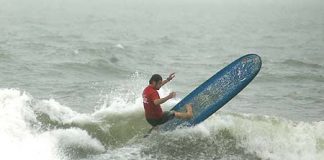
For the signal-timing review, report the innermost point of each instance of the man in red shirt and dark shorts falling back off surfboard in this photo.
(152, 101)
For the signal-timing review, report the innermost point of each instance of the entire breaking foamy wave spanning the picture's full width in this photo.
(115, 130)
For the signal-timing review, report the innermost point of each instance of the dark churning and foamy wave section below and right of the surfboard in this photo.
(242, 136)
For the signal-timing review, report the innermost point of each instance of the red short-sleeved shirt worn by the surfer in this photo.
(152, 111)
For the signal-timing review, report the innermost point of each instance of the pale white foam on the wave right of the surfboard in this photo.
(273, 138)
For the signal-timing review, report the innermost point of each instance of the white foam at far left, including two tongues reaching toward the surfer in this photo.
(19, 134)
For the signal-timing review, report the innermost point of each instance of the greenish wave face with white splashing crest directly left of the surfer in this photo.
(117, 120)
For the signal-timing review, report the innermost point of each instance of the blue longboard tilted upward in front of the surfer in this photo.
(216, 91)
